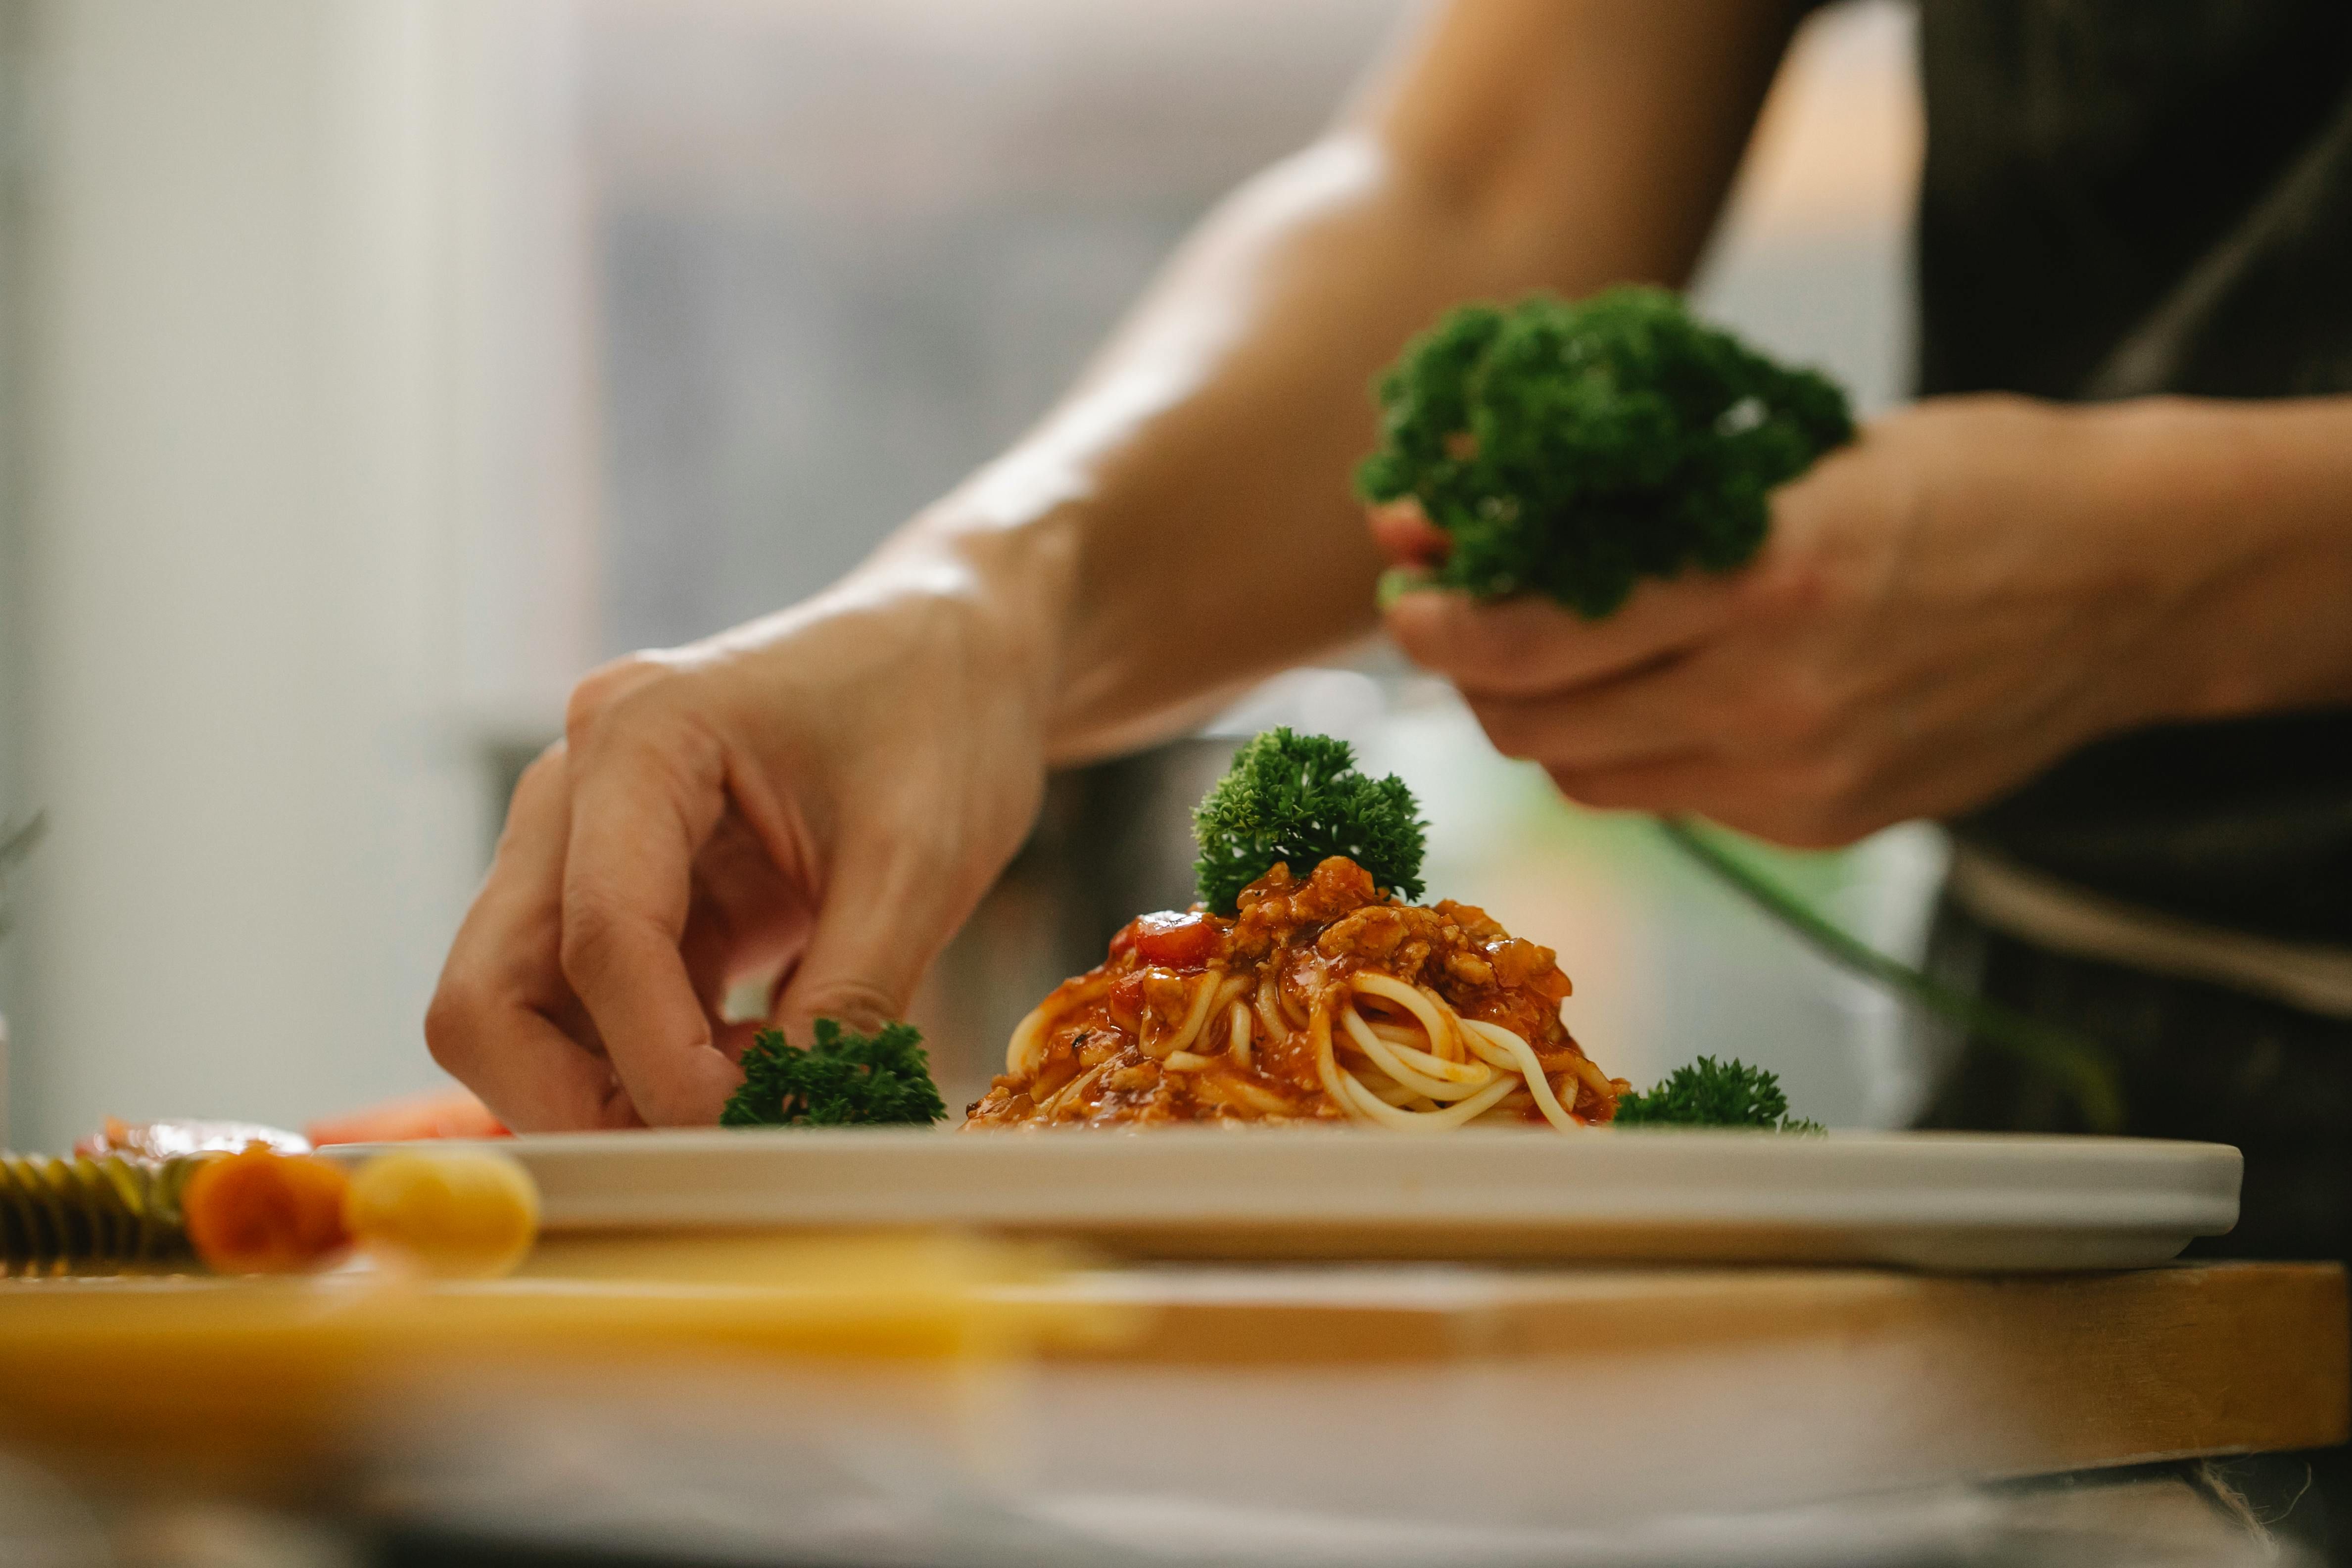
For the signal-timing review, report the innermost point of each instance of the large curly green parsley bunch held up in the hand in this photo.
(1577, 448)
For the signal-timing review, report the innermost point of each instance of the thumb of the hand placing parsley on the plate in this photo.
(874, 937)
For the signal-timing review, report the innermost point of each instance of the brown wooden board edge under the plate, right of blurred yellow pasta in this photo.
(2109, 1369)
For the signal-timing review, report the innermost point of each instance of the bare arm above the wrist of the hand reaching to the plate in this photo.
(1184, 521)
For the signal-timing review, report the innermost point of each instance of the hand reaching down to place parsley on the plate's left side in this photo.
(822, 798)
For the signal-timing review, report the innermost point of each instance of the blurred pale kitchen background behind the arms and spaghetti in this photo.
(373, 368)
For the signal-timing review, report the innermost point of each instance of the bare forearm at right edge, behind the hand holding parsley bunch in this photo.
(2245, 516)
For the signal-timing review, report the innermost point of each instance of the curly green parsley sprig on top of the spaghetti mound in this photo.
(1302, 800)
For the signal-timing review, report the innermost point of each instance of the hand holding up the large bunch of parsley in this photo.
(1942, 610)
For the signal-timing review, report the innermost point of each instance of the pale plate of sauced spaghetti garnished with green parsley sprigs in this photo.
(1316, 1064)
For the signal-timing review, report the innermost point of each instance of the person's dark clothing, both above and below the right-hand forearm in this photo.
(2125, 199)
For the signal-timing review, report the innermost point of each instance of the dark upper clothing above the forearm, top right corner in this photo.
(2104, 173)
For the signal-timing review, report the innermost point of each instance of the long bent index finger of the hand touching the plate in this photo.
(643, 803)
